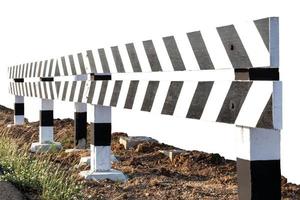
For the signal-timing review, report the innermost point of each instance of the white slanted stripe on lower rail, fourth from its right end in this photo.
(160, 97)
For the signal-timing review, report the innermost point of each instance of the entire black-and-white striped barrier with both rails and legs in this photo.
(253, 101)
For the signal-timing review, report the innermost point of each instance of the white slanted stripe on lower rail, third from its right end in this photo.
(186, 95)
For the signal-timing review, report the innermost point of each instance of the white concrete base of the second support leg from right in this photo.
(112, 174)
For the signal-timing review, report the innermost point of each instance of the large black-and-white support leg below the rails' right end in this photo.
(258, 164)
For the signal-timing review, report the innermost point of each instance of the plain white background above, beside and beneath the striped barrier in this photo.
(36, 30)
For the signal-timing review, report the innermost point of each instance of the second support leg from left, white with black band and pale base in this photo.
(46, 141)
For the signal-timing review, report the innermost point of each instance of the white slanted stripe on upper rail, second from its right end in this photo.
(215, 48)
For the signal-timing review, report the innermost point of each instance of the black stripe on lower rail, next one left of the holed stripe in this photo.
(199, 99)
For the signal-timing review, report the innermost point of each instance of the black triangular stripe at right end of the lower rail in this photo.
(266, 118)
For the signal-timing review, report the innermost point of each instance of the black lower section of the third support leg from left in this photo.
(80, 125)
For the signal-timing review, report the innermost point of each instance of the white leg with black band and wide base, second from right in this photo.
(101, 147)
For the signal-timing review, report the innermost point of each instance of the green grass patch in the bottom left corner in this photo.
(37, 174)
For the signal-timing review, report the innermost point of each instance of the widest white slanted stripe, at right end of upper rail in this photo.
(253, 44)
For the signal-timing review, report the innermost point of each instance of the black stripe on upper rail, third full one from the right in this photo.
(174, 53)
